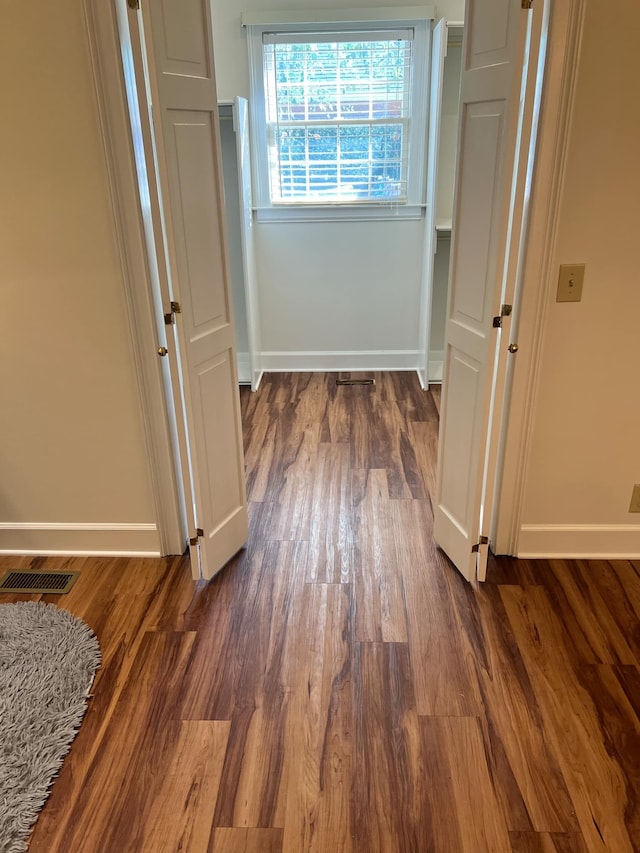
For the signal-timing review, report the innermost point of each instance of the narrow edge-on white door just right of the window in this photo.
(438, 53)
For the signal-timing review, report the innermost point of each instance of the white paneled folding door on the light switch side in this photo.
(495, 58)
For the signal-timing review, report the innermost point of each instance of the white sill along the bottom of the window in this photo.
(338, 212)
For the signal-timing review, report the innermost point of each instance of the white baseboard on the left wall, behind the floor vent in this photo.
(104, 540)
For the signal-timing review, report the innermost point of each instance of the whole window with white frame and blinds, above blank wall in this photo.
(339, 119)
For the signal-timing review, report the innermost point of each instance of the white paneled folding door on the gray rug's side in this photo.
(182, 91)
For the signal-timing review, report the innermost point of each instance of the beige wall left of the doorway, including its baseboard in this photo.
(72, 449)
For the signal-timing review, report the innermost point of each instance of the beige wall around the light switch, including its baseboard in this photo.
(585, 453)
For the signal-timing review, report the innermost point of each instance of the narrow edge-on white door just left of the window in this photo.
(241, 127)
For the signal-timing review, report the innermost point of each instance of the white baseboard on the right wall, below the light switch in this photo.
(580, 541)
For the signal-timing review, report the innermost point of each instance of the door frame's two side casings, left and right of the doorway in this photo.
(562, 62)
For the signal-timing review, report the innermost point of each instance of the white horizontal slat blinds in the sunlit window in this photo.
(338, 113)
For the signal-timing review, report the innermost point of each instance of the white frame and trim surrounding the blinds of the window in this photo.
(413, 206)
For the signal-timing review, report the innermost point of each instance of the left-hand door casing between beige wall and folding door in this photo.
(156, 403)
